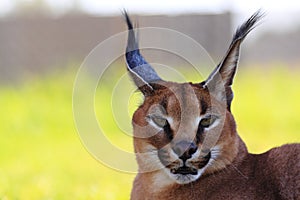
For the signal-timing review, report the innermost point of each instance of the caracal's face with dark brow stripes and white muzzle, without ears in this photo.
(184, 132)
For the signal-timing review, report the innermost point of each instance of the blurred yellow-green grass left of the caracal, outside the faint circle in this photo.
(41, 156)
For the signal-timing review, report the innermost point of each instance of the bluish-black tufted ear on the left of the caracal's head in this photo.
(140, 70)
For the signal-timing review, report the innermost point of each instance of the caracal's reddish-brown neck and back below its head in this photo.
(271, 175)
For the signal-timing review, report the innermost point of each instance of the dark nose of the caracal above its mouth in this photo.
(185, 149)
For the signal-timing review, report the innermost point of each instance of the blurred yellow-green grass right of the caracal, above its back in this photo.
(266, 106)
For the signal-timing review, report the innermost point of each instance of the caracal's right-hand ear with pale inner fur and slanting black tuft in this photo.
(220, 80)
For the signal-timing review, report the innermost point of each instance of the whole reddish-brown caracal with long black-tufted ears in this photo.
(186, 142)
